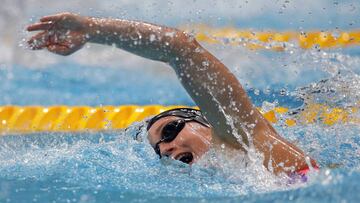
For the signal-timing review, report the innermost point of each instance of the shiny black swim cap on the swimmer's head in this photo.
(195, 114)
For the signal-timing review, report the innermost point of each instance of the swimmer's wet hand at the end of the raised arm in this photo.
(63, 33)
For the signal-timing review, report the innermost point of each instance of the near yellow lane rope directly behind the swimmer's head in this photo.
(27, 119)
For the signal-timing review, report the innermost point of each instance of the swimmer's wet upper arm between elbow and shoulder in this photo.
(218, 93)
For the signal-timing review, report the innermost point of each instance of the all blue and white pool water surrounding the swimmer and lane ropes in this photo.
(114, 167)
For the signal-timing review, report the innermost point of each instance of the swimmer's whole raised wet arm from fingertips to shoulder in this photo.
(212, 86)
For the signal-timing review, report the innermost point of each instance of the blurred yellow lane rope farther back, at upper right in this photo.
(274, 40)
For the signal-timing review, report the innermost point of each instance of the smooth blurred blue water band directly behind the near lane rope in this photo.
(72, 84)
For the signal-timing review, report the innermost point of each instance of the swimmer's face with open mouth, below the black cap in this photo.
(194, 138)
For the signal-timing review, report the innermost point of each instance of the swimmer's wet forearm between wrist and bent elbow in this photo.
(143, 39)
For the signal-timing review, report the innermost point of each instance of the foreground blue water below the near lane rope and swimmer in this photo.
(113, 167)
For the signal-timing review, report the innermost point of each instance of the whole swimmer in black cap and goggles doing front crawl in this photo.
(227, 116)
